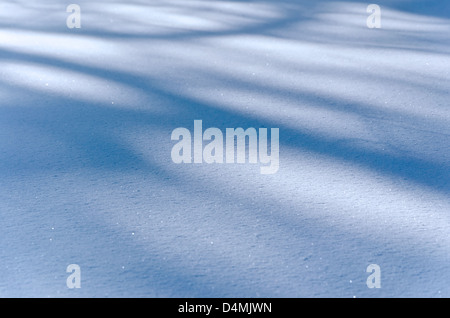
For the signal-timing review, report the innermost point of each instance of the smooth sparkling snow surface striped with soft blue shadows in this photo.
(86, 175)
